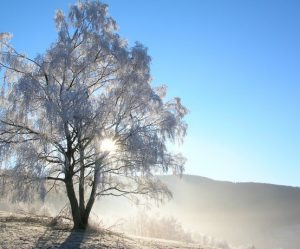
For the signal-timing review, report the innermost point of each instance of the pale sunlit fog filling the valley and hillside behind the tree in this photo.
(213, 213)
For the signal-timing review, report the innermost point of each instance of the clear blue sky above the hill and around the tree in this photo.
(235, 64)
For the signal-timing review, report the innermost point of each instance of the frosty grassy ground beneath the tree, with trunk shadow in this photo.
(24, 232)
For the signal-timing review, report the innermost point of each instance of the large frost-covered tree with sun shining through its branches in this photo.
(84, 115)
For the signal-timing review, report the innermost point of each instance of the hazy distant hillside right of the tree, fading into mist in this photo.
(263, 214)
